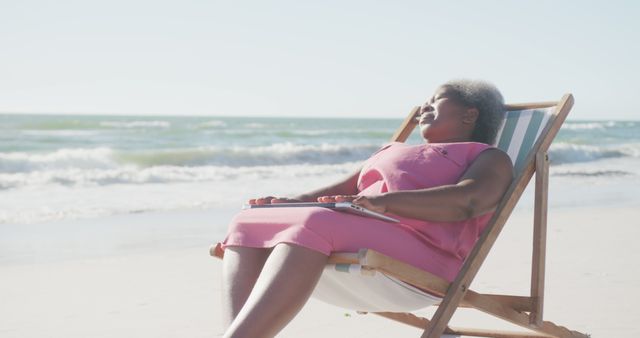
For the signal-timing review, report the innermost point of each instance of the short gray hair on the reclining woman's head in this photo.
(485, 97)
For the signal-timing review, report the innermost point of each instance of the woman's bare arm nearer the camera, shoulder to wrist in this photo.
(478, 191)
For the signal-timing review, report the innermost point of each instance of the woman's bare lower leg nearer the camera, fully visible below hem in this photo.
(286, 282)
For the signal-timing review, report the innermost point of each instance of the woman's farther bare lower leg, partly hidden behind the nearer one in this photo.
(241, 267)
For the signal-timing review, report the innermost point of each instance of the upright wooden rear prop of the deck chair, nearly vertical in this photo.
(539, 237)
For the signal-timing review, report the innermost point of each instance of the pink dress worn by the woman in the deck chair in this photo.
(437, 247)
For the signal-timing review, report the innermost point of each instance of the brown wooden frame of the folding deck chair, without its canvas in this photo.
(524, 311)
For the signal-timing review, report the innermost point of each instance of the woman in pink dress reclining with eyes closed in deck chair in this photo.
(443, 191)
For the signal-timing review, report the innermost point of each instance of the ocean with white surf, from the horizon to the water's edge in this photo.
(55, 167)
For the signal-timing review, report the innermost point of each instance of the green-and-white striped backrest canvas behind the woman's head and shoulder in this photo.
(519, 132)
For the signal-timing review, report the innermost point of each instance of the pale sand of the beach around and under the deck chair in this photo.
(149, 275)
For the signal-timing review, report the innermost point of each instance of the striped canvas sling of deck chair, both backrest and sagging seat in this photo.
(351, 286)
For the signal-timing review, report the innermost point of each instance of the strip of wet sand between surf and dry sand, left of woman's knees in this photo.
(121, 235)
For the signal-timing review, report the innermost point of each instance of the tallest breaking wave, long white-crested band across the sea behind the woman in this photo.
(277, 154)
